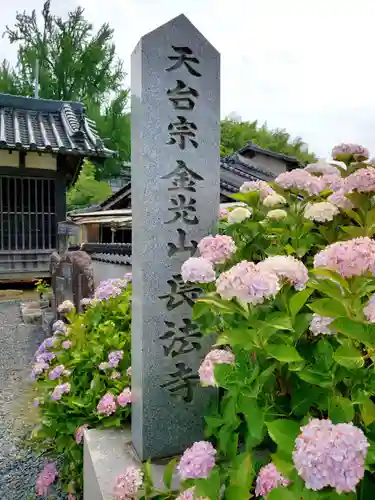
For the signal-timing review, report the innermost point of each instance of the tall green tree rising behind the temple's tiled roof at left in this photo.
(76, 64)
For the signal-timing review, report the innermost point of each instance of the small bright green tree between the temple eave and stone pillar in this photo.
(87, 190)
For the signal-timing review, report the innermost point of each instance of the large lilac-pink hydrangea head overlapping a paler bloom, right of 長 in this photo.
(248, 283)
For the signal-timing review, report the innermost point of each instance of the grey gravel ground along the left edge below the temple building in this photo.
(19, 467)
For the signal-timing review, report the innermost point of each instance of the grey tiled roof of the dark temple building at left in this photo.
(43, 125)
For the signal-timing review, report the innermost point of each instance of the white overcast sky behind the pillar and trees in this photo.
(303, 65)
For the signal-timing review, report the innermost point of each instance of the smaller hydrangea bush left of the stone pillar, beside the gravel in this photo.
(82, 380)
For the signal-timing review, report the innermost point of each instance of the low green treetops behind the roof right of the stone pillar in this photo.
(235, 134)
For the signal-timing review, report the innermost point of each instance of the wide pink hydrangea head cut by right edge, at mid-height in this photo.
(349, 258)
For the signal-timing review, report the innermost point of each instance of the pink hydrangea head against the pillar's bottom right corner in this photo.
(197, 461)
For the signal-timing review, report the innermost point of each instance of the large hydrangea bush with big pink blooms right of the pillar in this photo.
(289, 287)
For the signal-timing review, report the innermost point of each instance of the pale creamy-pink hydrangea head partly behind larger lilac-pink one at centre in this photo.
(288, 267)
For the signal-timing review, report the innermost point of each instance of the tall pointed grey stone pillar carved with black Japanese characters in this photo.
(175, 202)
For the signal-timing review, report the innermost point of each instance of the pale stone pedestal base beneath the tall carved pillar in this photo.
(107, 453)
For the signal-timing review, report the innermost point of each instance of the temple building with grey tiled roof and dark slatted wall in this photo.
(42, 146)
